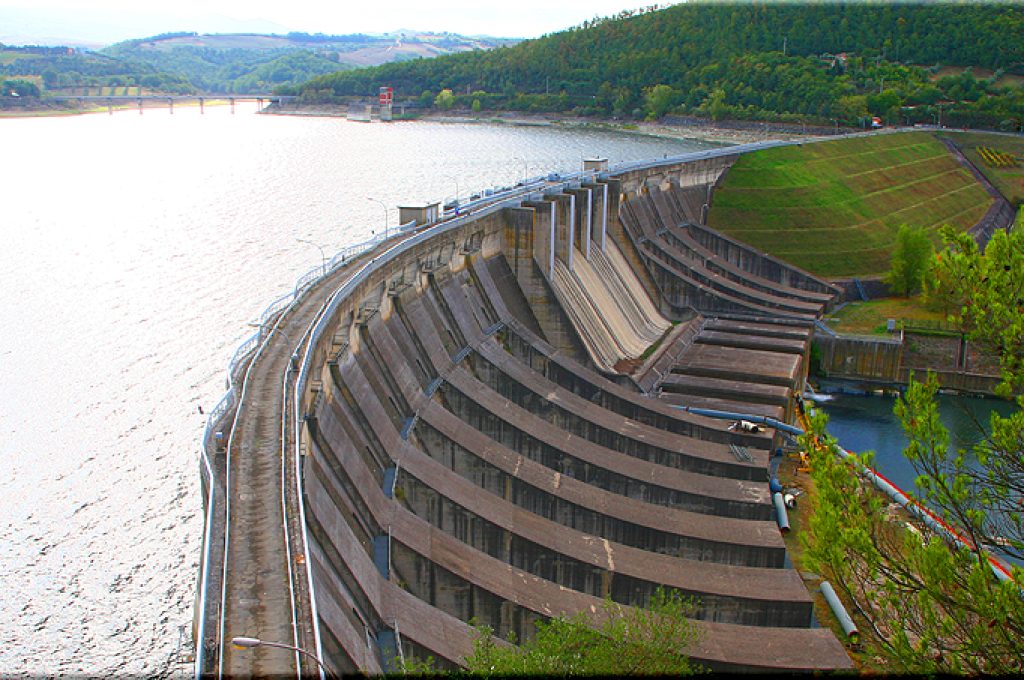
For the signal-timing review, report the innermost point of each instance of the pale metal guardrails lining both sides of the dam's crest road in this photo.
(452, 220)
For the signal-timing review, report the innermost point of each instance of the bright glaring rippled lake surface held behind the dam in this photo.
(136, 251)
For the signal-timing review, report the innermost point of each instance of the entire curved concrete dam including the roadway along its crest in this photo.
(482, 421)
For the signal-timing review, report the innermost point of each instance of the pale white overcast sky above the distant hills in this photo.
(112, 21)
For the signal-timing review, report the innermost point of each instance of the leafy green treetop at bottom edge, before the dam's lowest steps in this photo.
(623, 642)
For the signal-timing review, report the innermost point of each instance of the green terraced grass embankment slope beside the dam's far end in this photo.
(834, 208)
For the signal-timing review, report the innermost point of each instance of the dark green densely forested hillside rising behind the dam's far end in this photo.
(769, 61)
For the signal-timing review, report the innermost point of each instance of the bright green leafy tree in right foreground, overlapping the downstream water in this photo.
(931, 605)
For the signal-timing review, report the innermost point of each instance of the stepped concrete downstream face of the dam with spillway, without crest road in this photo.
(468, 456)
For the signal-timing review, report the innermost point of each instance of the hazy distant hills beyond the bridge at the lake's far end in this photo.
(188, 63)
